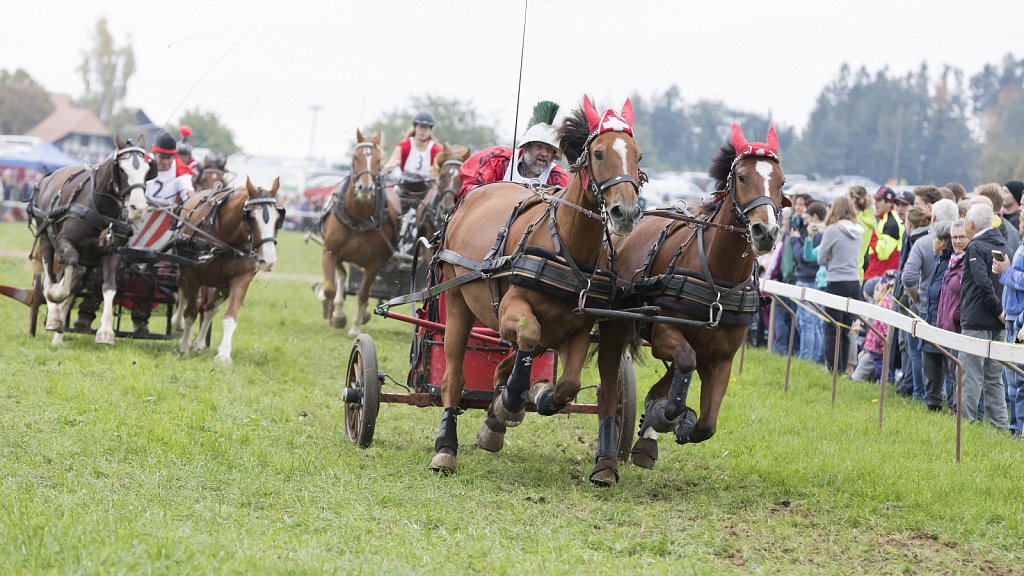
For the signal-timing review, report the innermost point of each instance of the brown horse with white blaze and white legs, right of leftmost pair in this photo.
(233, 234)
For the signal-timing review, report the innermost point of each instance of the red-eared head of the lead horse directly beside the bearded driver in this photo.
(610, 162)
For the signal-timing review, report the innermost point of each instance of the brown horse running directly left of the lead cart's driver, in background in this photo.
(361, 230)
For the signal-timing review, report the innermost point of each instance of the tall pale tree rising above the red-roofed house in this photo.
(106, 70)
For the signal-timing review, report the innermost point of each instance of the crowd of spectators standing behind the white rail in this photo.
(937, 254)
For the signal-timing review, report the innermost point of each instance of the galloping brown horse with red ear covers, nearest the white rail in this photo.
(699, 271)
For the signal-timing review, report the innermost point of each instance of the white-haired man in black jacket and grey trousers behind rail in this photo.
(982, 316)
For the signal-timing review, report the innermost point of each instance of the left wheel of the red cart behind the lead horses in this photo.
(362, 394)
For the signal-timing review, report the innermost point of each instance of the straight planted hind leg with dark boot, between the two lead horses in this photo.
(610, 357)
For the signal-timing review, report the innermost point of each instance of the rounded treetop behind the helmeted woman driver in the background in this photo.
(458, 122)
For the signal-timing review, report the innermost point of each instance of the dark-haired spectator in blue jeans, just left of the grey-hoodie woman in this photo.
(808, 229)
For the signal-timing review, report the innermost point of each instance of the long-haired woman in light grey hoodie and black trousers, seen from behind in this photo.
(838, 255)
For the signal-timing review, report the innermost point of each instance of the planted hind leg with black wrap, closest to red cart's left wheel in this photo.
(459, 322)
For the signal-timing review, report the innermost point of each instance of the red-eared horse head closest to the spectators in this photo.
(755, 183)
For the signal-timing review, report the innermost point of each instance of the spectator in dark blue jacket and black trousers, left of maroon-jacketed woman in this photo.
(934, 363)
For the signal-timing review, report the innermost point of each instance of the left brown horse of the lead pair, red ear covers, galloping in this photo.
(561, 230)
